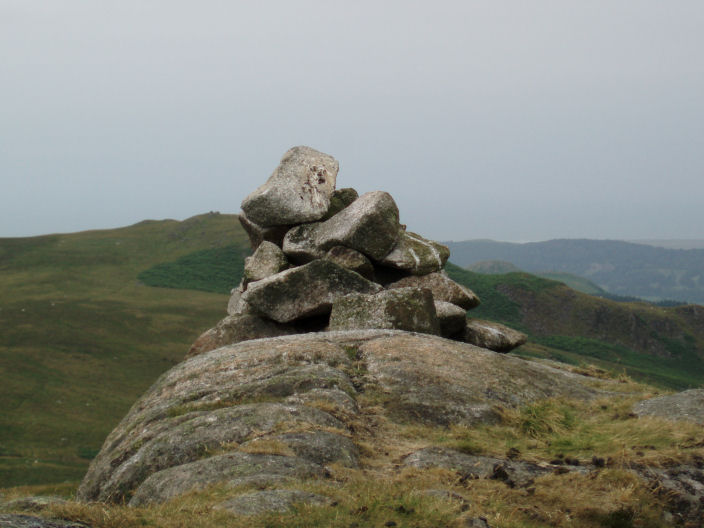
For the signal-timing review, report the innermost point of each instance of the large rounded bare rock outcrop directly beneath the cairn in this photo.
(206, 420)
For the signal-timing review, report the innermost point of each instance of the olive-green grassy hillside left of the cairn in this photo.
(81, 336)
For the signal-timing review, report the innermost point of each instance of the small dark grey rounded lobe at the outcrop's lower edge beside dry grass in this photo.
(321, 447)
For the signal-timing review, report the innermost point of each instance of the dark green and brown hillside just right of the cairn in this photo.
(660, 345)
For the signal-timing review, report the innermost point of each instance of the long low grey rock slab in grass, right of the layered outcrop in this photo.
(513, 473)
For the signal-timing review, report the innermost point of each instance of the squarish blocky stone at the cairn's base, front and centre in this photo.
(409, 309)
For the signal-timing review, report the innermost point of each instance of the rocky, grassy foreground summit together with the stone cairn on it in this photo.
(347, 373)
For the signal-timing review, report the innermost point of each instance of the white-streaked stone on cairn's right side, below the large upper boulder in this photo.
(416, 254)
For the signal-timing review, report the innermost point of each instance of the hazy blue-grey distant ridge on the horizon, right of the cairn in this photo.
(620, 268)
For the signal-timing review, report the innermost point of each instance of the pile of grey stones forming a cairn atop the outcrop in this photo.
(327, 259)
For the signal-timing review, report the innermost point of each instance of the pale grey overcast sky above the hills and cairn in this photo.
(509, 120)
